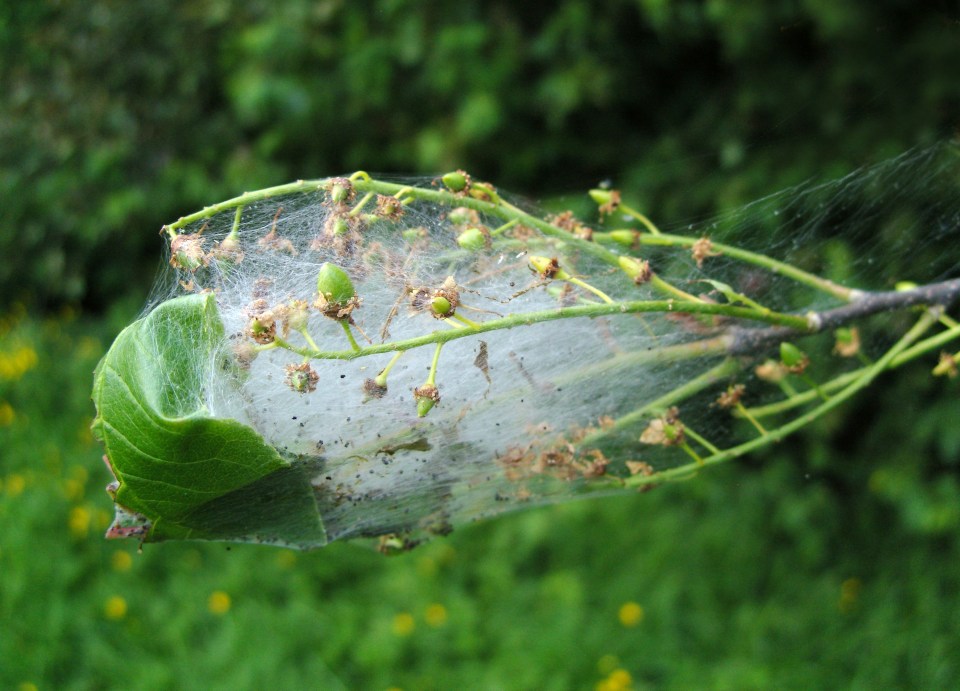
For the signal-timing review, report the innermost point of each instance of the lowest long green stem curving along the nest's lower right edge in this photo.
(776, 435)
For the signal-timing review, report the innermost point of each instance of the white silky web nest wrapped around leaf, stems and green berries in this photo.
(353, 357)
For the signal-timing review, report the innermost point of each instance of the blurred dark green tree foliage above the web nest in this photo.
(118, 116)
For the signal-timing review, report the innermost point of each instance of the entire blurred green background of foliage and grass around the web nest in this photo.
(830, 562)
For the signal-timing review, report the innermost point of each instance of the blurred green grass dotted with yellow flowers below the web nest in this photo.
(756, 575)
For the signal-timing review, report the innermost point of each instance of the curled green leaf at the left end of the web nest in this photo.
(188, 474)
